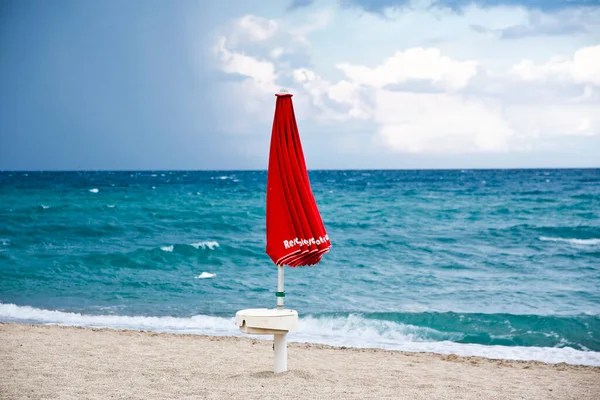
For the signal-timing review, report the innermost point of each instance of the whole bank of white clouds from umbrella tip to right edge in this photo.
(432, 99)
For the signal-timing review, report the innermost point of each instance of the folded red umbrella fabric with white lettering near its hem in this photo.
(296, 235)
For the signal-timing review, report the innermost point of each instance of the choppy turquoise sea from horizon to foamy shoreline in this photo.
(502, 264)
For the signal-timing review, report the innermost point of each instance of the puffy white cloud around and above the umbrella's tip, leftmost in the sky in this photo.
(258, 53)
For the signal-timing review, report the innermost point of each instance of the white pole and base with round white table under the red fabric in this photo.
(277, 322)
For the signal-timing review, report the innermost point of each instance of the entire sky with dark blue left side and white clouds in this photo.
(401, 84)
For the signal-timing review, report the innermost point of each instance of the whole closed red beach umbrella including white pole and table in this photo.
(296, 235)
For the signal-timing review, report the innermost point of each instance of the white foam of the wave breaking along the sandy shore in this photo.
(352, 331)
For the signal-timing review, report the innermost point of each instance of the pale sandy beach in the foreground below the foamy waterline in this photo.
(53, 362)
